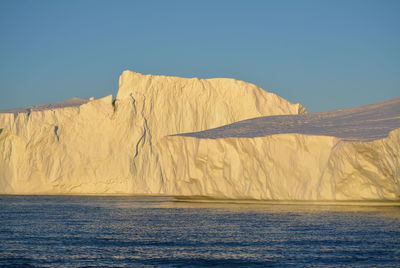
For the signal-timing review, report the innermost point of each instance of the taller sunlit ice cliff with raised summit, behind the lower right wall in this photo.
(108, 147)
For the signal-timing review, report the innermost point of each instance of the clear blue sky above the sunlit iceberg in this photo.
(323, 54)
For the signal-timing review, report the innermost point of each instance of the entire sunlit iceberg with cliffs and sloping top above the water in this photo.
(217, 138)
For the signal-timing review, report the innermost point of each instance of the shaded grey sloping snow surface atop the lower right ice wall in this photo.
(355, 124)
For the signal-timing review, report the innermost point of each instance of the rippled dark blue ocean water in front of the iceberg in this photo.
(124, 231)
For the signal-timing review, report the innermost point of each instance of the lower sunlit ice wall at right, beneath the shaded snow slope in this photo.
(283, 167)
